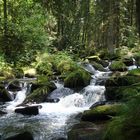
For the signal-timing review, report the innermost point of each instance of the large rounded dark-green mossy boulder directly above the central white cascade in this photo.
(77, 79)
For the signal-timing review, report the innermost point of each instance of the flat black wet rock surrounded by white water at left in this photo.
(29, 110)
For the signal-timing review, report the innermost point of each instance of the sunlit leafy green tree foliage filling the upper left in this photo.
(27, 31)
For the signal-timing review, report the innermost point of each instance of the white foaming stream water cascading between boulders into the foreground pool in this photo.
(54, 119)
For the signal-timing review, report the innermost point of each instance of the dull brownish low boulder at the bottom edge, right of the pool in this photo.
(86, 131)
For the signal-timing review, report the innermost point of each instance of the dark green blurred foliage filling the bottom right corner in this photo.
(127, 125)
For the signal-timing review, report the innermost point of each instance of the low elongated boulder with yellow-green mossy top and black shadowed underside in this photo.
(101, 113)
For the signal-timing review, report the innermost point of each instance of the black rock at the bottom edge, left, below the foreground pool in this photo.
(22, 136)
